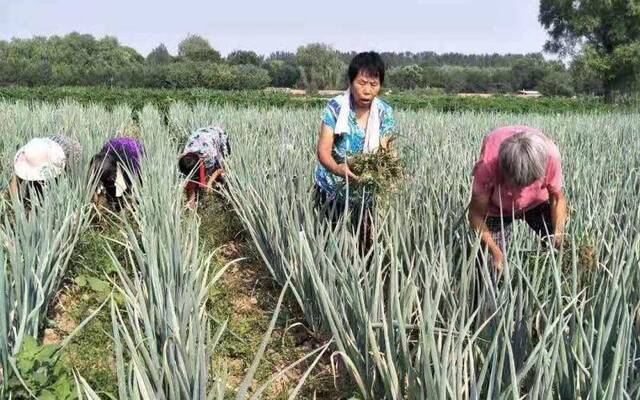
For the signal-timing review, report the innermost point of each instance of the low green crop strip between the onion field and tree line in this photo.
(162, 98)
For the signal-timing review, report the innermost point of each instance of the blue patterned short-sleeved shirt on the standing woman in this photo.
(346, 145)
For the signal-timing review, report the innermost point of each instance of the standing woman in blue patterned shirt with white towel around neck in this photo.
(353, 123)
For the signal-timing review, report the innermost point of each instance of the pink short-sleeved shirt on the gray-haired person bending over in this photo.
(488, 181)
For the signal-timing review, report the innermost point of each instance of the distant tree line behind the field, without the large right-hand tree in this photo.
(82, 60)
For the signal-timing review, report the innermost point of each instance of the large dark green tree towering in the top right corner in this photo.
(606, 31)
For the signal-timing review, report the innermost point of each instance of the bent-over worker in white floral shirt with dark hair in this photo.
(202, 161)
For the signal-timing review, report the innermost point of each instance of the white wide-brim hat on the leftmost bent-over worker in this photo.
(38, 160)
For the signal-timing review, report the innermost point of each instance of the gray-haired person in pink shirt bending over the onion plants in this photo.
(518, 176)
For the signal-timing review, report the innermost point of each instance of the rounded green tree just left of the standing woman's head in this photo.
(320, 67)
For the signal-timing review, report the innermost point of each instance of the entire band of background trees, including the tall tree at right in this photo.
(599, 43)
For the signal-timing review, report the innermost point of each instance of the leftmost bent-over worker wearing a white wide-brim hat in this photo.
(39, 161)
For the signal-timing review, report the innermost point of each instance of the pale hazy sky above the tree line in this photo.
(465, 26)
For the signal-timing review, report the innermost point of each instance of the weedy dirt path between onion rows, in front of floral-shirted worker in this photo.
(247, 296)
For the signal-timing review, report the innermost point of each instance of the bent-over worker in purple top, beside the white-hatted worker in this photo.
(115, 167)
